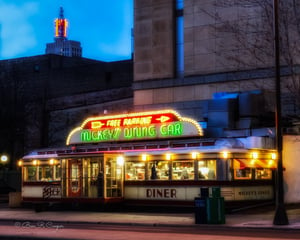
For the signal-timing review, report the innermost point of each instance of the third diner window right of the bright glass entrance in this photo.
(183, 170)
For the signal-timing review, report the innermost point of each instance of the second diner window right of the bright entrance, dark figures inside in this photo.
(158, 170)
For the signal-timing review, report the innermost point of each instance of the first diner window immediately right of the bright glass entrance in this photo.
(135, 170)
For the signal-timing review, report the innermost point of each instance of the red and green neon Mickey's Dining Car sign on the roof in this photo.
(134, 126)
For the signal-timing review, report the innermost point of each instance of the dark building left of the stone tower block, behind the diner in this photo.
(43, 97)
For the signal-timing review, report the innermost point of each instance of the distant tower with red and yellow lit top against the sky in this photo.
(63, 46)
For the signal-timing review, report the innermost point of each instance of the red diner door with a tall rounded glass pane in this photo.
(74, 177)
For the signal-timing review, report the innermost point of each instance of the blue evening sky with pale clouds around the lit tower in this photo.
(102, 26)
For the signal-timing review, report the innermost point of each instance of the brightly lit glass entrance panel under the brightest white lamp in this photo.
(114, 176)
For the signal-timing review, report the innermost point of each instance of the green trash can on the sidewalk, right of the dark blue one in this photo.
(215, 210)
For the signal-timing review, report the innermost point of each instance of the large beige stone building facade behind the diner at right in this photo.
(185, 53)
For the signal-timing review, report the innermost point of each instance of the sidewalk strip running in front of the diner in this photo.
(248, 219)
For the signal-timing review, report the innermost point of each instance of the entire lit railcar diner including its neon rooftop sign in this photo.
(147, 158)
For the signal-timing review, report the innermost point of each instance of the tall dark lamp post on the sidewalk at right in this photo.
(280, 217)
